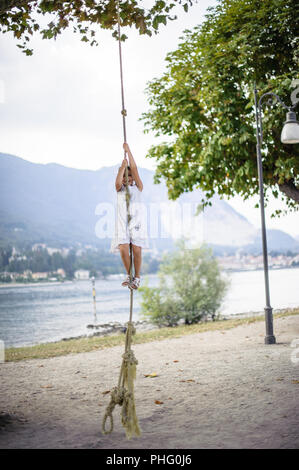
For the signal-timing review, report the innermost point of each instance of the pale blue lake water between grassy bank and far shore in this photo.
(32, 314)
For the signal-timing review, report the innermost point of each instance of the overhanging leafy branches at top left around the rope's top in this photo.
(24, 17)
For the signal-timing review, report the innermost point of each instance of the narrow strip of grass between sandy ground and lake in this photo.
(74, 346)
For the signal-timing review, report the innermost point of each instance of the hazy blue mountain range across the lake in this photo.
(64, 206)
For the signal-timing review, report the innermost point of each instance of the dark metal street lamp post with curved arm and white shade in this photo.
(289, 135)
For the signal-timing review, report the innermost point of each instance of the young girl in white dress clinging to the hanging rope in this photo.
(135, 231)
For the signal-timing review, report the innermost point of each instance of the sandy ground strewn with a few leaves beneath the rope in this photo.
(219, 390)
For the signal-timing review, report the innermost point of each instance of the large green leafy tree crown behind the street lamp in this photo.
(205, 102)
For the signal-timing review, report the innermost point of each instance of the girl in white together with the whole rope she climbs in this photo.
(131, 235)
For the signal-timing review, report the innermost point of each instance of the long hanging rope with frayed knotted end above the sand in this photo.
(123, 394)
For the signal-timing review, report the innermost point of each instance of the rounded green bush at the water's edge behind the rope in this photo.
(191, 288)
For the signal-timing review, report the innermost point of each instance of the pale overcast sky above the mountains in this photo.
(63, 103)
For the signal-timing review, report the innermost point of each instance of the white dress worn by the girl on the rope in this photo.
(136, 231)
